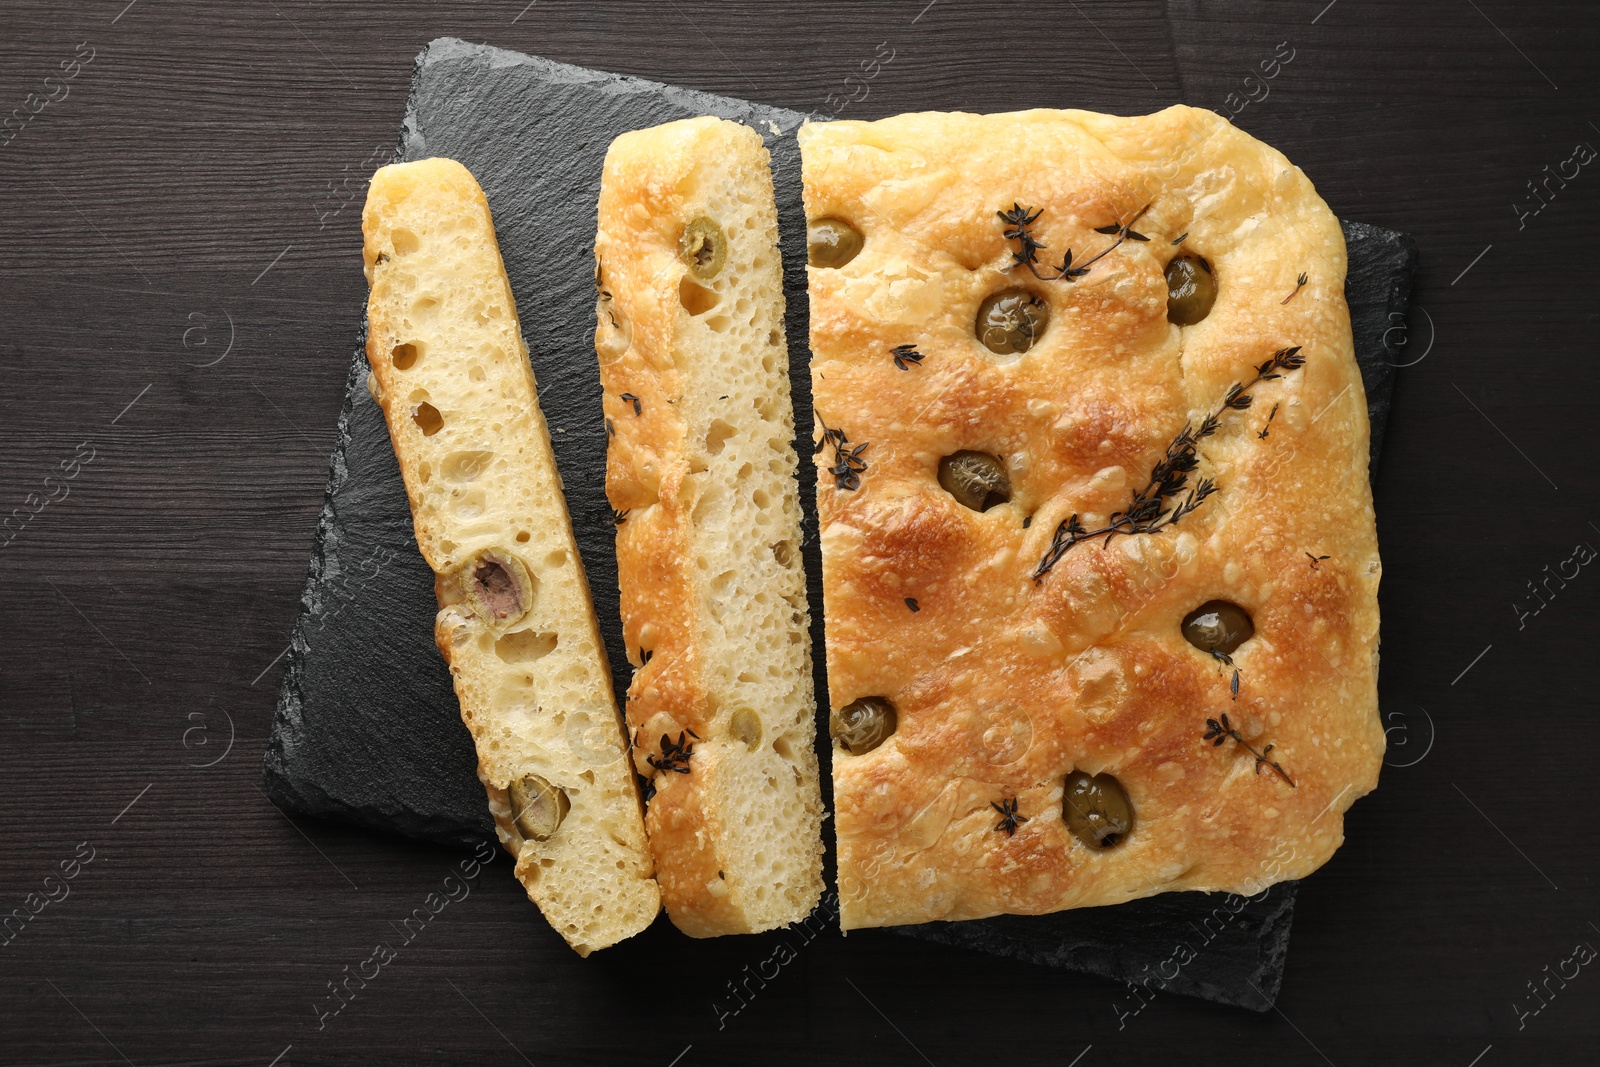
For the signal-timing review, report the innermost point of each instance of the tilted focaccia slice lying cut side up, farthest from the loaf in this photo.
(516, 625)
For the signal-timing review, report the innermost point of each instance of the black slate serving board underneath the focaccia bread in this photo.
(367, 729)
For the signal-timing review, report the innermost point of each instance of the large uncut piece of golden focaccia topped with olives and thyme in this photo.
(1098, 543)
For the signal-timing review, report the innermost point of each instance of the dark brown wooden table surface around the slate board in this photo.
(180, 287)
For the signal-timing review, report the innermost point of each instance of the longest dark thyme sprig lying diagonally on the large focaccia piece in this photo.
(1151, 510)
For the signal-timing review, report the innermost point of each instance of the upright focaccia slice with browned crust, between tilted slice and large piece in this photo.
(702, 473)
